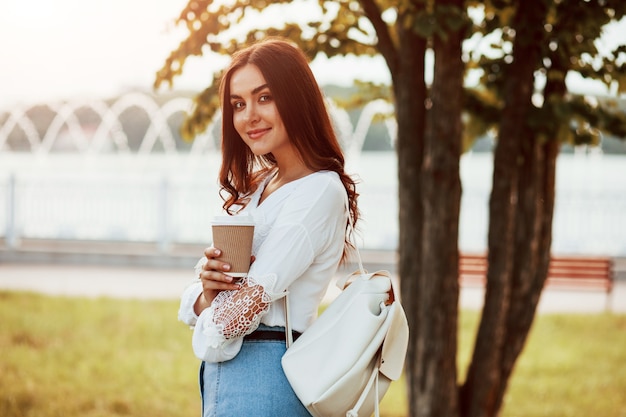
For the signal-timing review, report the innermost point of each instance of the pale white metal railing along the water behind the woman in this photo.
(169, 209)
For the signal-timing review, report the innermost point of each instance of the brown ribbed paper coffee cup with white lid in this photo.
(233, 236)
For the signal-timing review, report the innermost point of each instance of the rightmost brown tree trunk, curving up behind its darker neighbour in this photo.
(534, 233)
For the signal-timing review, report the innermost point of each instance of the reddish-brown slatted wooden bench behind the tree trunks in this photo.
(565, 272)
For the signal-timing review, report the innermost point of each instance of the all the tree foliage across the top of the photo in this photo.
(360, 28)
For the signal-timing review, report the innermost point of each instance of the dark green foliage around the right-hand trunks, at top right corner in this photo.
(568, 43)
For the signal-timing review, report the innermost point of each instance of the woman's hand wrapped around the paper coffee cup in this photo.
(213, 279)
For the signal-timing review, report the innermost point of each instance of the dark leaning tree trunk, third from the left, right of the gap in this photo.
(481, 390)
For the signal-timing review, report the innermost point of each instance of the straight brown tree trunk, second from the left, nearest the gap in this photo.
(434, 390)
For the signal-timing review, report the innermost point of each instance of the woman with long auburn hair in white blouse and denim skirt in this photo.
(282, 164)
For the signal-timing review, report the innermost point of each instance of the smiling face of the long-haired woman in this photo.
(255, 115)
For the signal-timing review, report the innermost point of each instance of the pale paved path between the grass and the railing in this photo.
(143, 282)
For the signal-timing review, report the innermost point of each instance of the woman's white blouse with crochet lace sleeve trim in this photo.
(298, 242)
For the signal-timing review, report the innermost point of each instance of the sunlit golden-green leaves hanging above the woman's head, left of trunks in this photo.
(212, 30)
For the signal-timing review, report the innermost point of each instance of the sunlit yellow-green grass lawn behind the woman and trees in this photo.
(104, 357)
